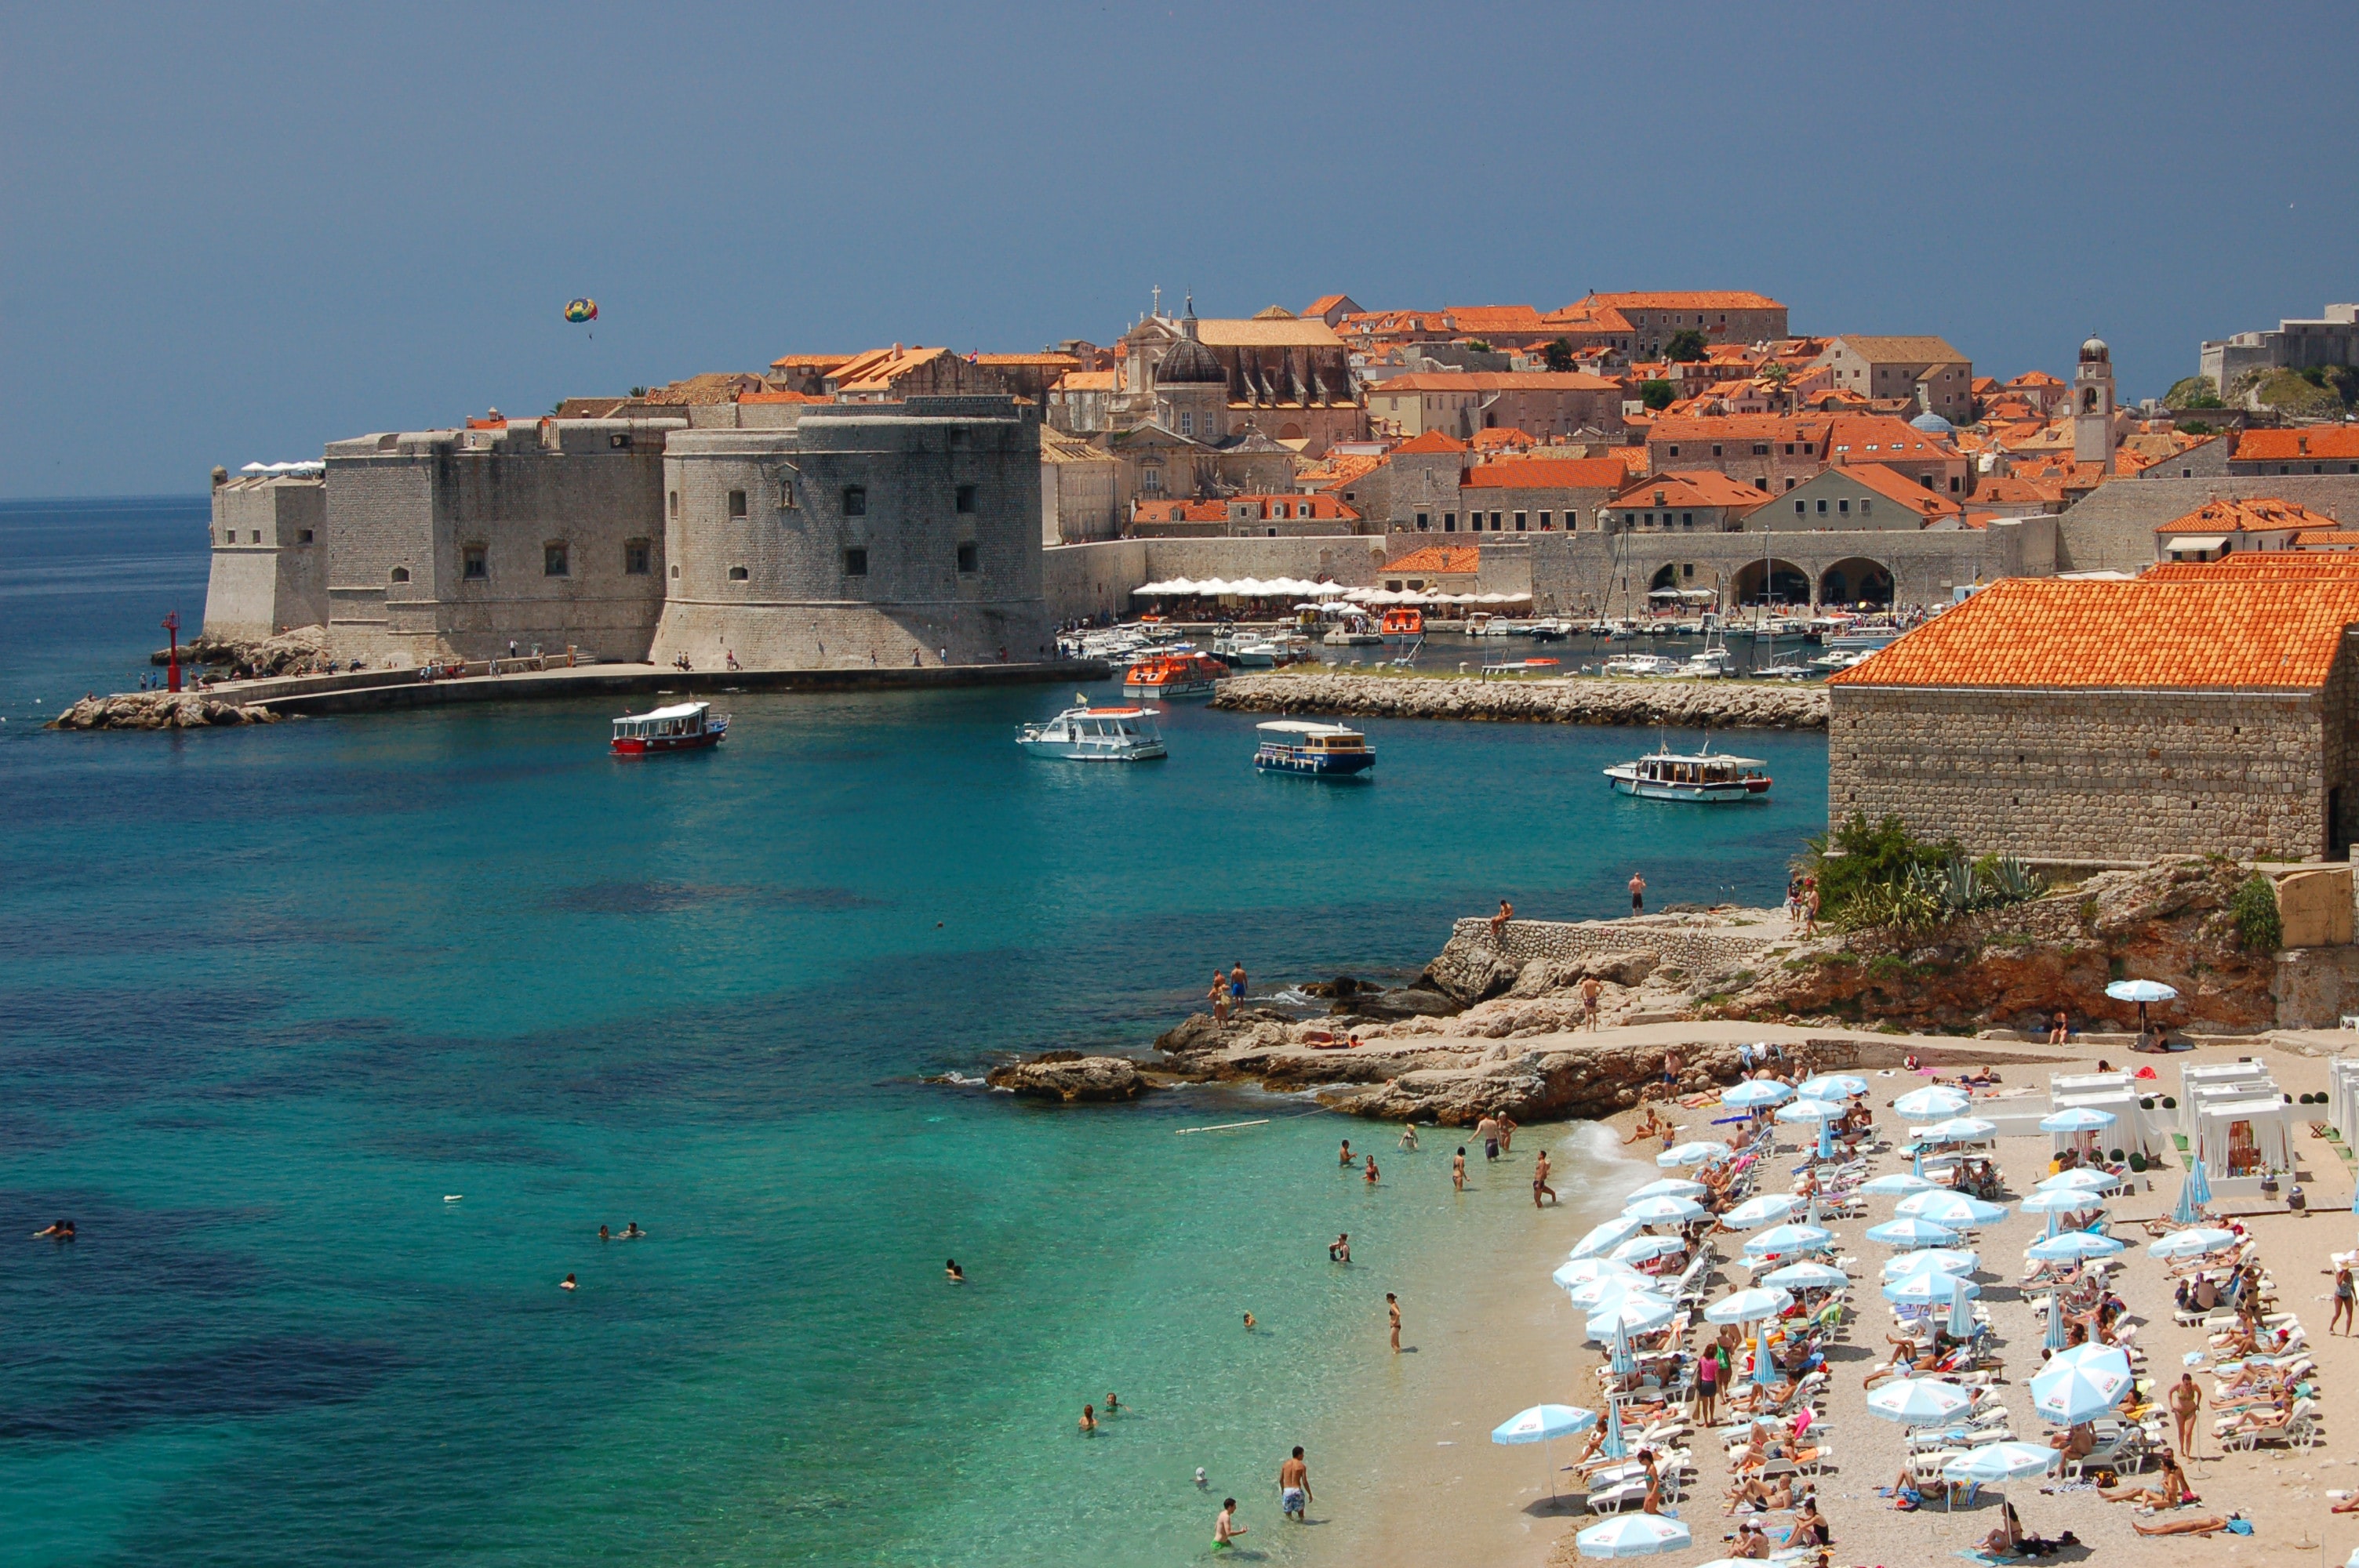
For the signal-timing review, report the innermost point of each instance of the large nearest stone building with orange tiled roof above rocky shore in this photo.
(2190, 713)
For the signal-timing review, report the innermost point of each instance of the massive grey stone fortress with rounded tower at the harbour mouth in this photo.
(824, 536)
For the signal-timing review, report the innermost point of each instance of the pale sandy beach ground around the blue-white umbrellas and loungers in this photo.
(1494, 1336)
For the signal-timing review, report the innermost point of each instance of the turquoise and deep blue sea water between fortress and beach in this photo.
(272, 996)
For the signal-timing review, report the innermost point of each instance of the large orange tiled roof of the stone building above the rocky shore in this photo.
(2190, 628)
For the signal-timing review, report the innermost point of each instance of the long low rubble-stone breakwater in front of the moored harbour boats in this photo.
(1558, 701)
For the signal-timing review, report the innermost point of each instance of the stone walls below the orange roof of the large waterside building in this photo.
(2094, 775)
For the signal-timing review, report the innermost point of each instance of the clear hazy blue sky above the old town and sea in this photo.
(237, 232)
